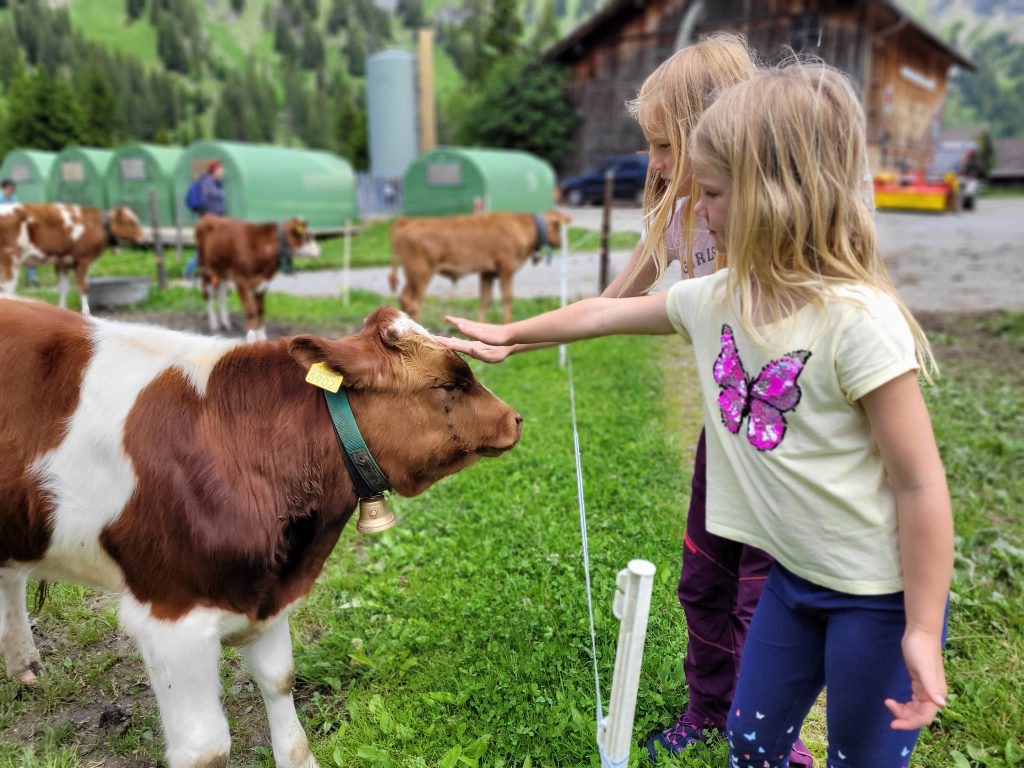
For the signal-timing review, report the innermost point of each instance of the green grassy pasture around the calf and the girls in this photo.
(460, 637)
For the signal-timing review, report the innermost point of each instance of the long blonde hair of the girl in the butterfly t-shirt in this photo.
(792, 144)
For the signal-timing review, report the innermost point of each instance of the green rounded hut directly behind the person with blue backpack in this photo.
(264, 183)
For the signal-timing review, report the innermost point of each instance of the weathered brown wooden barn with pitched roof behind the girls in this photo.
(901, 68)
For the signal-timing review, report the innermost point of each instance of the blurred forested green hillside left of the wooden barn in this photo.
(105, 72)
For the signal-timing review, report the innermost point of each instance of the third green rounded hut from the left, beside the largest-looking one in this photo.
(135, 170)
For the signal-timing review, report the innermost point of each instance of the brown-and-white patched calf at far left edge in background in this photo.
(70, 237)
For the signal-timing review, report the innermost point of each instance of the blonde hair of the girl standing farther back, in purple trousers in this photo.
(669, 104)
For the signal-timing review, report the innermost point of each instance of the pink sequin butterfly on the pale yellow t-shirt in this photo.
(774, 393)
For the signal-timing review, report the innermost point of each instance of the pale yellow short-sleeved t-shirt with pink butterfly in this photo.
(792, 465)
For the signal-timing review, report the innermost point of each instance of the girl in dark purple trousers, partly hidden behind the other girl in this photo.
(721, 580)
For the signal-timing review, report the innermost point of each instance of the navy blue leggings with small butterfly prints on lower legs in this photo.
(804, 637)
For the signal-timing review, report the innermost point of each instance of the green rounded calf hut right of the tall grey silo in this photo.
(454, 180)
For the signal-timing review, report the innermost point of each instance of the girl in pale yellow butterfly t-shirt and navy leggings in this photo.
(820, 446)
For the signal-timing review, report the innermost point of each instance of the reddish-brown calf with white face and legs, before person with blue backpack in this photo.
(248, 255)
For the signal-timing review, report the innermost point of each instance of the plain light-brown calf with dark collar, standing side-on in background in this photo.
(492, 244)
